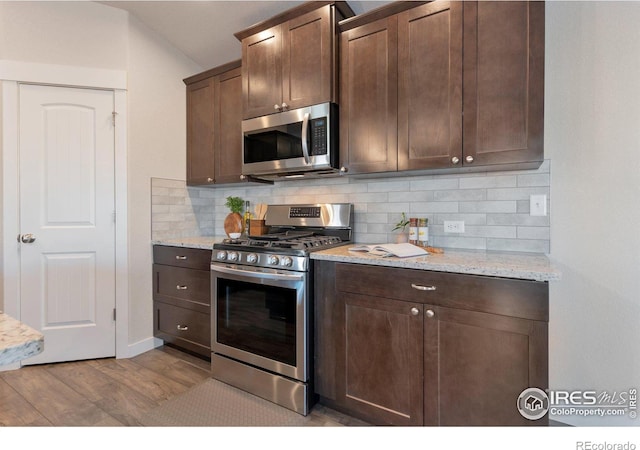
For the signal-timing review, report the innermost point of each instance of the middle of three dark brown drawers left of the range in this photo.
(182, 287)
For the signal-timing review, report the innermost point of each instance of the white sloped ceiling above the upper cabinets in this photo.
(203, 30)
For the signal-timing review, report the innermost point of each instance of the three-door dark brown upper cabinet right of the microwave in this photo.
(443, 85)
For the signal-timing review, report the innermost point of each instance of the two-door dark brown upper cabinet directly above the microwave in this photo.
(289, 61)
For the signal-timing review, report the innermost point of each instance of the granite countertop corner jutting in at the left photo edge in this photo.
(17, 340)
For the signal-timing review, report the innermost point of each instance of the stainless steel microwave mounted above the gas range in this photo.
(296, 143)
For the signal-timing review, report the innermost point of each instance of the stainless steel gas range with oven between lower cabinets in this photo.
(262, 297)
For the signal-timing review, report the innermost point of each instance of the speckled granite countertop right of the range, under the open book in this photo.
(526, 266)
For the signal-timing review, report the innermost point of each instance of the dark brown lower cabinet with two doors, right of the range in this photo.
(391, 353)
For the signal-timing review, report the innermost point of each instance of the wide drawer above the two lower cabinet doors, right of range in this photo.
(509, 297)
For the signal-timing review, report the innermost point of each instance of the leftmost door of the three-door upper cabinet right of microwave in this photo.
(369, 97)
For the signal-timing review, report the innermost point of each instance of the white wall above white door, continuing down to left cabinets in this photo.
(88, 34)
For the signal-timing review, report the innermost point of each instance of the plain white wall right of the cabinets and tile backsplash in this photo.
(592, 136)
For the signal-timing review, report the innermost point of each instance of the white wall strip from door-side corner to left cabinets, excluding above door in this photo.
(157, 147)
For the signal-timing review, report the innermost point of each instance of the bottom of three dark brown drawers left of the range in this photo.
(183, 327)
